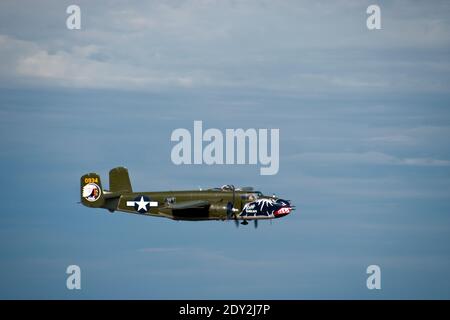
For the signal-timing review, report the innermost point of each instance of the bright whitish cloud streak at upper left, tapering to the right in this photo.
(76, 68)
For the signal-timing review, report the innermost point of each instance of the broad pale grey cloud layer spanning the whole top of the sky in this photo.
(295, 46)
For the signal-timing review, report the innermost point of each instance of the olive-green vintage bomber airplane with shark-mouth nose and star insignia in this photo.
(224, 203)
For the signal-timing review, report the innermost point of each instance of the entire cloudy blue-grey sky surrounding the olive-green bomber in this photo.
(364, 124)
